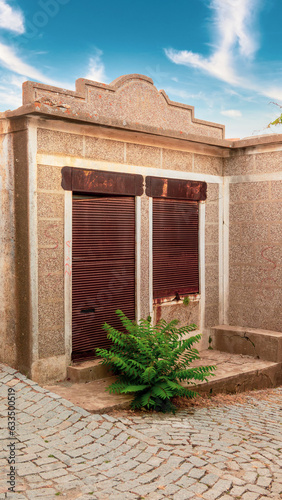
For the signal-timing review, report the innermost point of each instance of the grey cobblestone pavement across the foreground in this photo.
(226, 452)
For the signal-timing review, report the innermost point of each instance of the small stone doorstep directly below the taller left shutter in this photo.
(87, 371)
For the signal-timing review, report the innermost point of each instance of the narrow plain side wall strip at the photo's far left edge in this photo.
(7, 250)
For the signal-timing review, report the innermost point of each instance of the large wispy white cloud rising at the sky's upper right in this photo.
(234, 48)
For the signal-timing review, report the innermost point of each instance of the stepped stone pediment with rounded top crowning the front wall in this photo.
(131, 102)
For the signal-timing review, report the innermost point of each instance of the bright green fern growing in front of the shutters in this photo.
(152, 361)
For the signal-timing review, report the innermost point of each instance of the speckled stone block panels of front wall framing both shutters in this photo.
(51, 224)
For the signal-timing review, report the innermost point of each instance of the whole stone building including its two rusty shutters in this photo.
(97, 187)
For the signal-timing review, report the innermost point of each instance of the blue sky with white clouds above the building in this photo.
(222, 56)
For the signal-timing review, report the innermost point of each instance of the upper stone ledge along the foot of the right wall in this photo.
(261, 344)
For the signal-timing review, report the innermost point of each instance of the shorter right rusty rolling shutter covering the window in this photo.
(175, 247)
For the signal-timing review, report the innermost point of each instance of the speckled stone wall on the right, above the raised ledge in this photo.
(255, 259)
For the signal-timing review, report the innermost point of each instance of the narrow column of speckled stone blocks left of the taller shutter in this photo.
(50, 262)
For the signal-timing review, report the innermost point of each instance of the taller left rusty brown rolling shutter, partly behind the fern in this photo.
(103, 269)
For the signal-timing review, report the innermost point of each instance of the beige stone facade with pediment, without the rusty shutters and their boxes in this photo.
(130, 127)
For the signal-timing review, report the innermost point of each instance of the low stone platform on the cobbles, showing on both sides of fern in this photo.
(235, 373)
